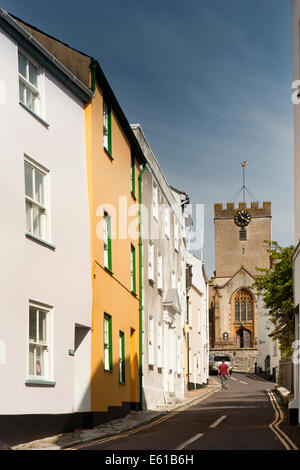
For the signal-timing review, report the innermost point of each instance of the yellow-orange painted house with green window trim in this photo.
(113, 169)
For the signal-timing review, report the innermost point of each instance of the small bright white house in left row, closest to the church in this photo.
(198, 325)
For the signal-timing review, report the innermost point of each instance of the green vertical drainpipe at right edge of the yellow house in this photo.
(141, 286)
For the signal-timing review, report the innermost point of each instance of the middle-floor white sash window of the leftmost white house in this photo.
(44, 207)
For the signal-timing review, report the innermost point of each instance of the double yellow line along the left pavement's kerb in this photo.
(142, 428)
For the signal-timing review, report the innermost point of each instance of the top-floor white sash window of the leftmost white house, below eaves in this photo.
(37, 105)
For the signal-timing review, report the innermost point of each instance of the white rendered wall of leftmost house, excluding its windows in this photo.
(60, 278)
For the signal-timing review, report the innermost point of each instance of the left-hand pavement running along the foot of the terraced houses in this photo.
(133, 420)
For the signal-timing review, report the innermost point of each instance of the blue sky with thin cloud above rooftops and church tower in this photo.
(208, 80)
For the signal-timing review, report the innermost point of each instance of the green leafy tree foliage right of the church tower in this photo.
(275, 285)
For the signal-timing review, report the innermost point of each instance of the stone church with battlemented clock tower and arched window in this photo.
(241, 233)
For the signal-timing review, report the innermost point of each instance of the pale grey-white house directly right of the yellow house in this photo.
(164, 293)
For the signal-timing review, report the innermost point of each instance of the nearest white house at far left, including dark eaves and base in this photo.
(45, 276)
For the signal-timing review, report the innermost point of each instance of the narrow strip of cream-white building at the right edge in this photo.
(295, 405)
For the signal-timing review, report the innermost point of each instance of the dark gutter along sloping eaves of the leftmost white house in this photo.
(37, 45)
